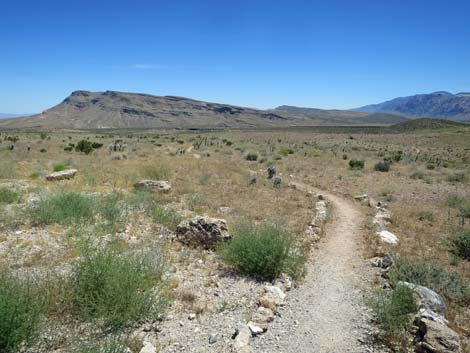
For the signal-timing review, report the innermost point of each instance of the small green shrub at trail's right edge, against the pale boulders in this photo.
(394, 310)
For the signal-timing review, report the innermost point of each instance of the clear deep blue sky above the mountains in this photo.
(326, 54)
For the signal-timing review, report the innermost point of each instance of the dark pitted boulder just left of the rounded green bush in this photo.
(202, 231)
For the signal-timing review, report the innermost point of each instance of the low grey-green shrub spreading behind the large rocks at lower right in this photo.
(451, 286)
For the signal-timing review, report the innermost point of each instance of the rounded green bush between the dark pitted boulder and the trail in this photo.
(263, 251)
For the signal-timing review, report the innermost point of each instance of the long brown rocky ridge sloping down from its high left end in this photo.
(110, 109)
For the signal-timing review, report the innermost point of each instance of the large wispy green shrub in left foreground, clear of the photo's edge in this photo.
(117, 287)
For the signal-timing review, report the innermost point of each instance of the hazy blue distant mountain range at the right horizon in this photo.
(442, 105)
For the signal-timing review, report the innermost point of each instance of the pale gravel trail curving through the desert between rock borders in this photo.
(327, 314)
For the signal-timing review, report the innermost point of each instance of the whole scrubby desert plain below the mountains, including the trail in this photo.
(235, 240)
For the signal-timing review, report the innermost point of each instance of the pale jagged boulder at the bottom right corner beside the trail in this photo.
(436, 337)
